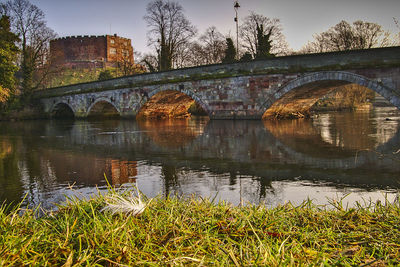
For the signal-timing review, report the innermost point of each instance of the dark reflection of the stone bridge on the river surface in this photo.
(238, 148)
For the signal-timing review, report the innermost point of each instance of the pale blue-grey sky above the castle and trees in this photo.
(300, 18)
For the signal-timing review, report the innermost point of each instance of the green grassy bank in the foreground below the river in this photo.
(198, 232)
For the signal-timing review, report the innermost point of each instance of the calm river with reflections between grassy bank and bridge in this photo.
(333, 155)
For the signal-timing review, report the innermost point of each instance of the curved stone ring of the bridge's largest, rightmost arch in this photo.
(326, 79)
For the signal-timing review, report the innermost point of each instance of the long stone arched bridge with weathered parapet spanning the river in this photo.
(243, 90)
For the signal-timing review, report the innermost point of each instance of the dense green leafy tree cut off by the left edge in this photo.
(8, 56)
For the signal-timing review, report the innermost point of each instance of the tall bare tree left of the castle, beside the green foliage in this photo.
(28, 22)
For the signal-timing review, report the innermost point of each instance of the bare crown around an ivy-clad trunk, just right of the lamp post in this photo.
(273, 27)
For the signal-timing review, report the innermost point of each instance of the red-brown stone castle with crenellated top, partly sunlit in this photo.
(91, 51)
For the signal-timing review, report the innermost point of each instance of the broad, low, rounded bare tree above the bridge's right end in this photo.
(344, 36)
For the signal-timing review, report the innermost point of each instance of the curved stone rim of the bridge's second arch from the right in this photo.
(173, 88)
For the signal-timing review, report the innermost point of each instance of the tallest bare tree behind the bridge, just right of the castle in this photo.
(170, 31)
